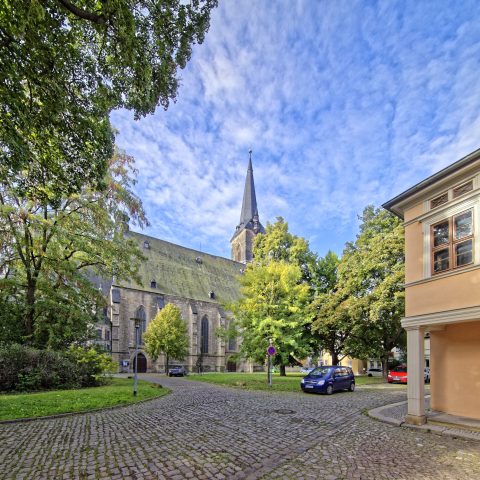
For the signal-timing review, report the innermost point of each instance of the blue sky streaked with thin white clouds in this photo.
(344, 104)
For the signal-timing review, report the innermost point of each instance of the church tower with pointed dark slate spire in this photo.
(249, 226)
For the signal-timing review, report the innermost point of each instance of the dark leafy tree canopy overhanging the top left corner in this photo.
(66, 64)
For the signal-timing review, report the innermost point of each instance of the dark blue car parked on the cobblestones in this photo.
(328, 380)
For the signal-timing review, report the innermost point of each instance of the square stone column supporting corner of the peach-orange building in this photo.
(416, 381)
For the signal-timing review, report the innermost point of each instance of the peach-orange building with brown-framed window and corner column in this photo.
(442, 249)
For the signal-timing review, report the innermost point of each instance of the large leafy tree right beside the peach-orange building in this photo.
(373, 273)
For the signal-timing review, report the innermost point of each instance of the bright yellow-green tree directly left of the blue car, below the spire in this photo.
(272, 306)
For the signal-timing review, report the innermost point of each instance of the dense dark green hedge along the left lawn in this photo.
(27, 369)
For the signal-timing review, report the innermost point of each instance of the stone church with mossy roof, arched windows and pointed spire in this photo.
(197, 283)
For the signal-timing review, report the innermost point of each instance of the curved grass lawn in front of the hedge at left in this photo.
(118, 392)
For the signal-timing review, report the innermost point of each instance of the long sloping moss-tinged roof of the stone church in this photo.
(185, 272)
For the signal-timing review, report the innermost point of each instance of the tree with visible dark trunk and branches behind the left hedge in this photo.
(50, 249)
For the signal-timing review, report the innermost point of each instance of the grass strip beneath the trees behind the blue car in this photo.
(258, 381)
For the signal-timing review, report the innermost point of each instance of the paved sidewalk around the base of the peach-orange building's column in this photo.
(437, 422)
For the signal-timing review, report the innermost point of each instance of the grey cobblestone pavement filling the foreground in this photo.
(205, 432)
